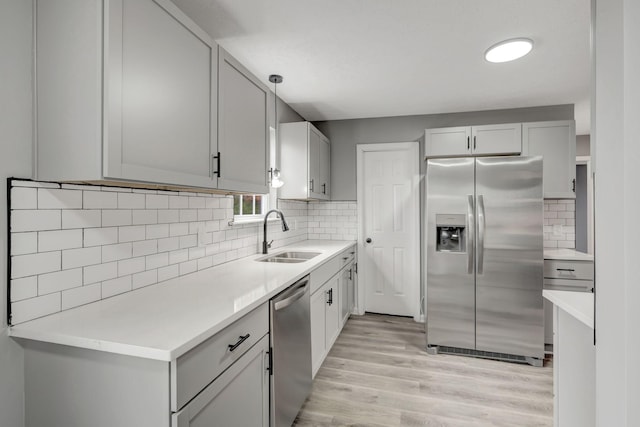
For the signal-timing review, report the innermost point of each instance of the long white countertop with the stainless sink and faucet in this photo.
(166, 320)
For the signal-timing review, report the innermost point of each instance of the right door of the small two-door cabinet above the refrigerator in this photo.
(497, 139)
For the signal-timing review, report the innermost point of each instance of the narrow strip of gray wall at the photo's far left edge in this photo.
(15, 160)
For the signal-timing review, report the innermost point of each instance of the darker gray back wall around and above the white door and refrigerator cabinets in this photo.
(345, 134)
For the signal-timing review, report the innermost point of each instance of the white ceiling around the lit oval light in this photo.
(344, 59)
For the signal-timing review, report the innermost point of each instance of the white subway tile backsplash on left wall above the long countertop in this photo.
(107, 240)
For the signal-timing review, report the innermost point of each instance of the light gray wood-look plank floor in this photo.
(378, 374)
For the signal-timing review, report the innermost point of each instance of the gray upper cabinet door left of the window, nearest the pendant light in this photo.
(243, 128)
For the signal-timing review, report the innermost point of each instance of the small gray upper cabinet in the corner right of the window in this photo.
(305, 157)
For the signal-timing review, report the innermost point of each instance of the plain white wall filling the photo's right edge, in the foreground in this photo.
(617, 196)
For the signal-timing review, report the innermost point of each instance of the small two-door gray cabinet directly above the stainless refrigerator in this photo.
(483, 140)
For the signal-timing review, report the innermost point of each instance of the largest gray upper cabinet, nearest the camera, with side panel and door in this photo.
(128, 92)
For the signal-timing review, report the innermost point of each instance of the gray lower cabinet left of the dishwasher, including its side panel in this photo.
(224, 381)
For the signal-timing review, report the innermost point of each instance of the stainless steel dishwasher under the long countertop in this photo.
(290, 352)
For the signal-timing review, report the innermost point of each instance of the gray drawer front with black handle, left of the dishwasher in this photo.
(197, 368)
